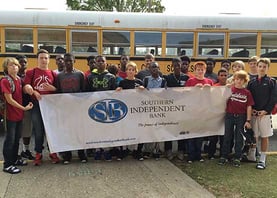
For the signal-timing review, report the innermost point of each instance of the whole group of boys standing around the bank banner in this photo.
(249, 106)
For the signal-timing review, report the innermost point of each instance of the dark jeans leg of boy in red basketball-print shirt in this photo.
(38, 127)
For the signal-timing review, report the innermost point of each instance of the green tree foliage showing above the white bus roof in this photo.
(117, 5)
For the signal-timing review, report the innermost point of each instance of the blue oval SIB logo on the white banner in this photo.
(108, 111)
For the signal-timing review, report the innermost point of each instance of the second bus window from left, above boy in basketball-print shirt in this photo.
(50, 39)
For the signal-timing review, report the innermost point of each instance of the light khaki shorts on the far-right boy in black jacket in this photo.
(262, 126)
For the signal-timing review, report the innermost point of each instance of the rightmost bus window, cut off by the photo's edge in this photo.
(269, 45)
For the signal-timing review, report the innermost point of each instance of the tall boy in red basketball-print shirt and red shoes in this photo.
(40, 81)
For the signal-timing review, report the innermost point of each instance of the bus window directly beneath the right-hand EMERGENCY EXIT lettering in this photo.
(211, 44)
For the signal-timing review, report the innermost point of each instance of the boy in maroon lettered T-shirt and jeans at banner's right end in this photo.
(238, 117)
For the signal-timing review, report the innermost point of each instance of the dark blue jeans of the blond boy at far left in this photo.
(11, 143)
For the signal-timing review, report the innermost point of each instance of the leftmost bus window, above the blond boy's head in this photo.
(19, 40)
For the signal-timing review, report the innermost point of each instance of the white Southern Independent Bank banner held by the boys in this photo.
(110, 118)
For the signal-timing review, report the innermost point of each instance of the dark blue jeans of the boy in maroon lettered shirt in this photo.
(234, 127)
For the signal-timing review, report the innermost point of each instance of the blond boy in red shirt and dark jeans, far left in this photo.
(14, 115)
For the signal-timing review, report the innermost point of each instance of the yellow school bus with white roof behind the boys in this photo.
(85, 33)
